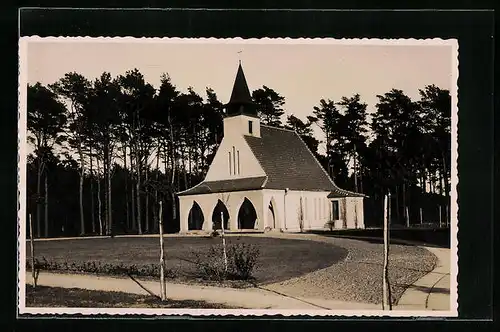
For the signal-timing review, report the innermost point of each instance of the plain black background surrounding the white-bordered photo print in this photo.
(474, 31)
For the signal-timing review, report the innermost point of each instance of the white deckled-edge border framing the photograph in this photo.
(23, 312)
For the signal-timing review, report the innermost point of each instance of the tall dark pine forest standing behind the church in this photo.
(107, 151)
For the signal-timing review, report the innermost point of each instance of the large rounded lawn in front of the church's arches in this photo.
(279, 259)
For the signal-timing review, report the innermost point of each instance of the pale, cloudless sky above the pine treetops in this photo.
(303, 73)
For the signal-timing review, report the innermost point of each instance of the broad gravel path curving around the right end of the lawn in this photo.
(359, 277)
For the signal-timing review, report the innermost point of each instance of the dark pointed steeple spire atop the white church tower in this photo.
(240, 102)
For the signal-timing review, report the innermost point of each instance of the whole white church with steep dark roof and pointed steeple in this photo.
(264, 178)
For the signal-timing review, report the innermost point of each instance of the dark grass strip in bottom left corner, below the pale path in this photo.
(42, 296)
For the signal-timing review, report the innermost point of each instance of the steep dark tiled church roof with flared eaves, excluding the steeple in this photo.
(287, 162)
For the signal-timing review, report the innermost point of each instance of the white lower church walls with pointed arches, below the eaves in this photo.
(316, 209)
